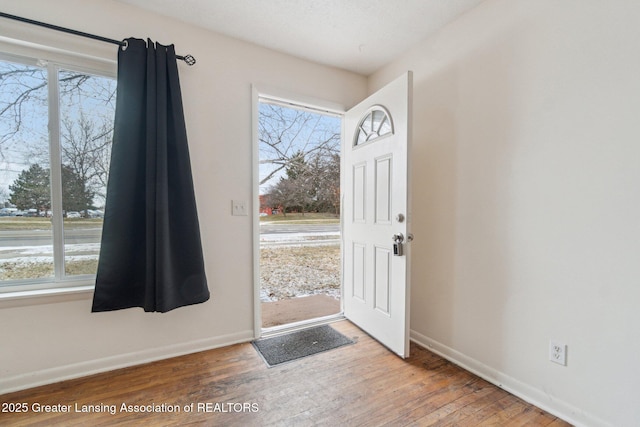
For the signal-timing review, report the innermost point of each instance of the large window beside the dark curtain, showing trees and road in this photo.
(56, 128)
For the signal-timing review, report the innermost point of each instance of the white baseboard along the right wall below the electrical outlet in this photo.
(532, 395)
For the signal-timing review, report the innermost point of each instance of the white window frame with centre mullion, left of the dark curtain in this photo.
(53, 60)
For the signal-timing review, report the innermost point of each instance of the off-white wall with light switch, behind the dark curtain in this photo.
(45, 342)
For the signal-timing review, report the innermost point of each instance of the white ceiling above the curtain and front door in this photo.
(356, 35)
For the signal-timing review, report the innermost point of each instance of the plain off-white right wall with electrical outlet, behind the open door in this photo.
(527, 199)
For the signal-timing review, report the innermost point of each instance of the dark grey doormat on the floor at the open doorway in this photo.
(299, 344)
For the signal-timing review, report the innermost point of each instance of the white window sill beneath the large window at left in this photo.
(45, 296)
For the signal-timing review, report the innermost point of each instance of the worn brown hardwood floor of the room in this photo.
(356, 385)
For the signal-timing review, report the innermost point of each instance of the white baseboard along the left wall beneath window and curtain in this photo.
(81, 369)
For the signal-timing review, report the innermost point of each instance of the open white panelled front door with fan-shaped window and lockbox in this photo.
(375, 209)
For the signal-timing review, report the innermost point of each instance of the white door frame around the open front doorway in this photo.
(301, 101)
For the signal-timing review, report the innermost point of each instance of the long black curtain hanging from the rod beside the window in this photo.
(151, 253)
